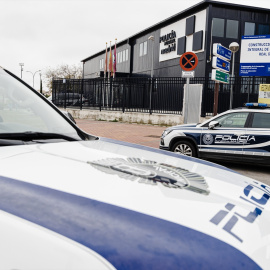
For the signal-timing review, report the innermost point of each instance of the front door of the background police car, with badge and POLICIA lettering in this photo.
(225, 140)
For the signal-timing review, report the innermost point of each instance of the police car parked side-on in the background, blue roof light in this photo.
(241, 134)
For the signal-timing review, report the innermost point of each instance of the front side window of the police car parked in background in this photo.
(233, 120)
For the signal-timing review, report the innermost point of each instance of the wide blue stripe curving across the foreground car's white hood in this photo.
(127, 239)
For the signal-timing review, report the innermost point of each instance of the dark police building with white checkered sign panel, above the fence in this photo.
(195, 29)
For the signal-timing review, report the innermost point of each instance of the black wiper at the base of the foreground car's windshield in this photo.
(33, 136)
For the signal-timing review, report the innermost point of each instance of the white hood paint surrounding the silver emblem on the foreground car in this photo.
(65, 167)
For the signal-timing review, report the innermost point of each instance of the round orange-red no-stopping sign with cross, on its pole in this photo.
(188, 62)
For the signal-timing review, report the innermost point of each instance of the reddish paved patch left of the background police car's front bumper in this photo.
(134, 133)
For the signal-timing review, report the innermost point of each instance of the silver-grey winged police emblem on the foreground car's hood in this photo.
(151, 172)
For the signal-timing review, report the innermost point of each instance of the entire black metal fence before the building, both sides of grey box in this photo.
(146, 95)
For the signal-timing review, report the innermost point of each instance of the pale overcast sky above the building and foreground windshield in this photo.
(48, 33)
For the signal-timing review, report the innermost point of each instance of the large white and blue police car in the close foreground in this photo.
(70, 200)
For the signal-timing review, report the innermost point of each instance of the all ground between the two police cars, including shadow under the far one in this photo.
(150, 135)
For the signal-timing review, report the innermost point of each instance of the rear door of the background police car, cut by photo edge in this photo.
(257, 144)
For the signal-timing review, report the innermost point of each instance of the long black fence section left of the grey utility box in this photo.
(157, 95)
